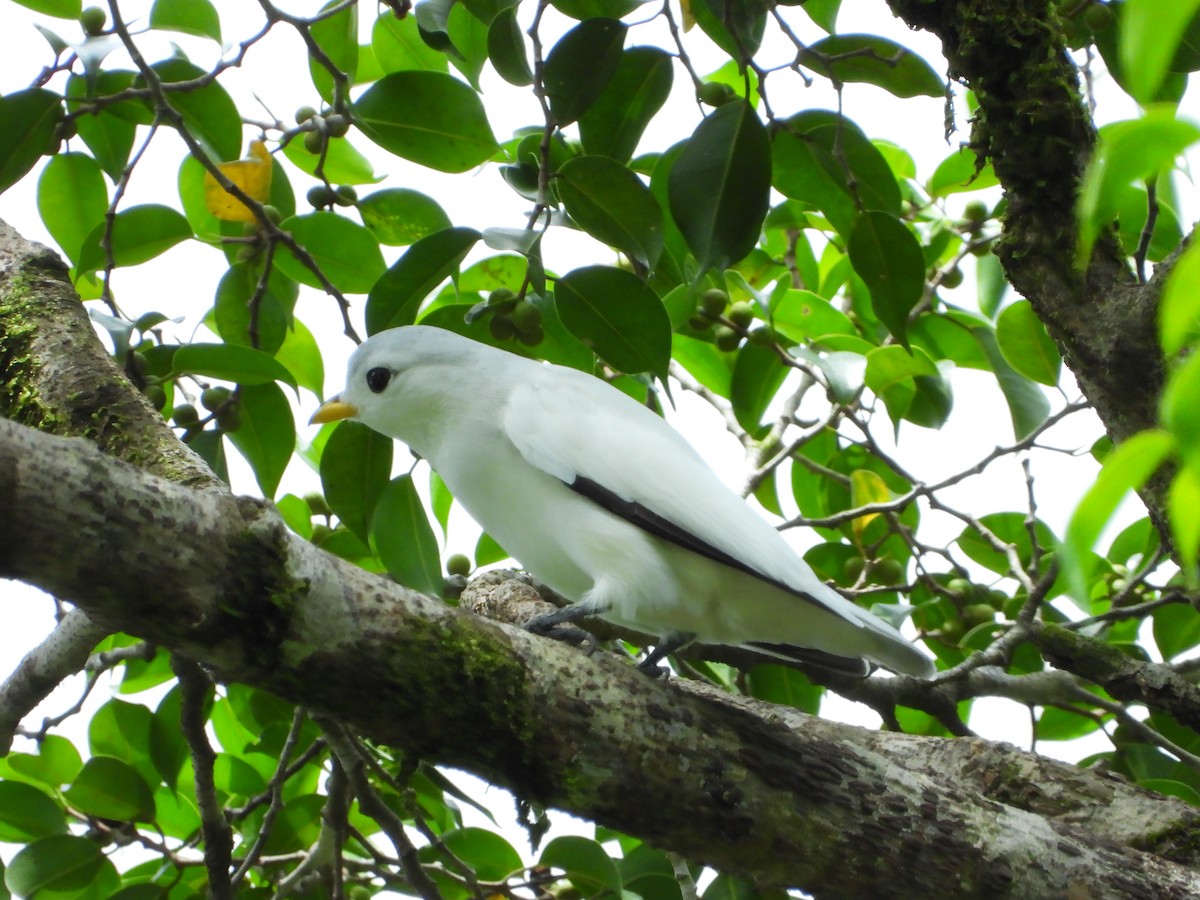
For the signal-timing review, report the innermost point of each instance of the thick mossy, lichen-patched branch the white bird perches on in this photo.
(745, 787)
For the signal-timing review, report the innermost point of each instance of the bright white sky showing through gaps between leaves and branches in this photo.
(184, 281)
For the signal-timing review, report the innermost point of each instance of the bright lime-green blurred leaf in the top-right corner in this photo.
(1151, 33)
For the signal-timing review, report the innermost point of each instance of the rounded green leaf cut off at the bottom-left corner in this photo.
(63, 866)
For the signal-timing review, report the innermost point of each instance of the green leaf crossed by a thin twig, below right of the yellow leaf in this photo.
(345, 251)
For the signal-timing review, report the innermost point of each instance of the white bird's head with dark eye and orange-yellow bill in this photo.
(398, 377)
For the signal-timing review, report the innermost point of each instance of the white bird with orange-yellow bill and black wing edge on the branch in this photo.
(604, 502)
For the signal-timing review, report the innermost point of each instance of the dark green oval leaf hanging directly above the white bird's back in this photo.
(615, 314)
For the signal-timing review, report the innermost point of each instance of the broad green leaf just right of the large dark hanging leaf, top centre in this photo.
(824, 159)
